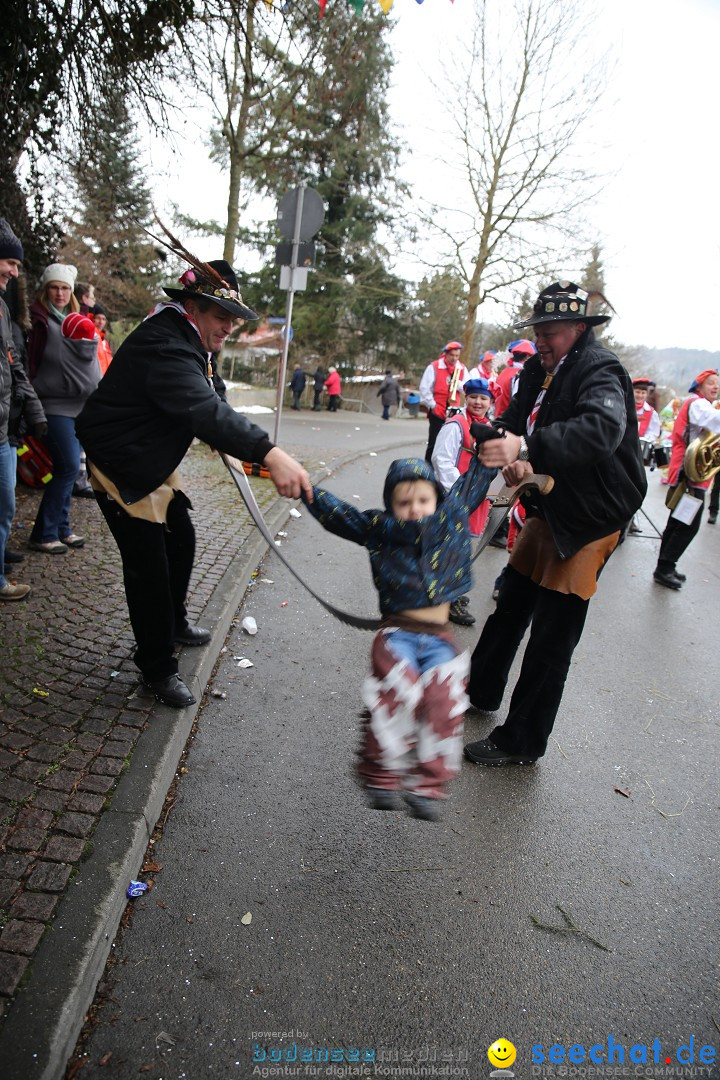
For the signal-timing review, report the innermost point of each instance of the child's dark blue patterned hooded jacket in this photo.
(415, 564)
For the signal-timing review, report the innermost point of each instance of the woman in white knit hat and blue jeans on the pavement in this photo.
(65, 371)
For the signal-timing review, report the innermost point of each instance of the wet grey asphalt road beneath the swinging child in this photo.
(422, 941)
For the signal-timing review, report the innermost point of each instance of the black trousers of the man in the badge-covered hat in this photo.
(558, 620)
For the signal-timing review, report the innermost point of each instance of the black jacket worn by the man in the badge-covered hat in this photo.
(587, 438)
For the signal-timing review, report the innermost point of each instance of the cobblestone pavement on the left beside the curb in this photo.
(72, 709)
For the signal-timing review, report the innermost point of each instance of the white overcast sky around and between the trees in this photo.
(656, 141)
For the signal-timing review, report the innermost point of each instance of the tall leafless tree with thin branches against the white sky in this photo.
(524, 97)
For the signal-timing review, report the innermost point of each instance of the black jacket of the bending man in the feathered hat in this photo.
(155, 399)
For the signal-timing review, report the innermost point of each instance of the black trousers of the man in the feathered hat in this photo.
(157, 562)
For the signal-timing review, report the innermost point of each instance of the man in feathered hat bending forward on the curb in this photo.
(137, 428)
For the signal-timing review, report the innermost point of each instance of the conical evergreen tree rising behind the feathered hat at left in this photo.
(105, 238)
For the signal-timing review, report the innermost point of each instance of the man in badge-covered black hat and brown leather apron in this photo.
(573, 417)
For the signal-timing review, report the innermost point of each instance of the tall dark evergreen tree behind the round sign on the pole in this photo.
(331, 130)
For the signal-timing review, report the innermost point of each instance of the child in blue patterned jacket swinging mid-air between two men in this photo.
(420, 557)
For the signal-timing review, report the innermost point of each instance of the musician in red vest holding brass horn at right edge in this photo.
(697, 416)
